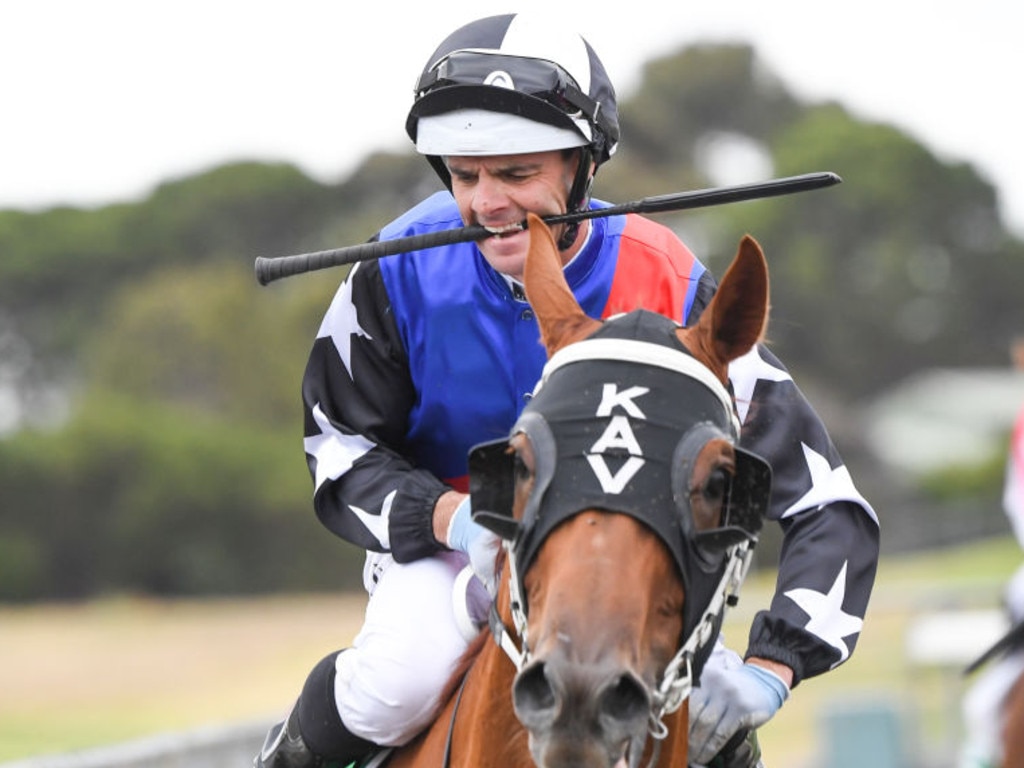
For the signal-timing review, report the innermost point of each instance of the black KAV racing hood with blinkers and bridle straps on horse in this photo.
(650, 367)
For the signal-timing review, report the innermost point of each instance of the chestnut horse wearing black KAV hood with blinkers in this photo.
(628, 516)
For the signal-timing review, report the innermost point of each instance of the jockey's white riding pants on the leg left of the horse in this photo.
(390, 681)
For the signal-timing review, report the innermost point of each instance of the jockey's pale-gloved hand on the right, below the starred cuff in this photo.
(733, 697)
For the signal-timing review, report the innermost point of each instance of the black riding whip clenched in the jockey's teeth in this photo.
(270, 270)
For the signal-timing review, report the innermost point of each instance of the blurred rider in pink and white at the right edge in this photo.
(984, 703)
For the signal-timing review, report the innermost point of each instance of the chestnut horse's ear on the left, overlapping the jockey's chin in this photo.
(559, 314)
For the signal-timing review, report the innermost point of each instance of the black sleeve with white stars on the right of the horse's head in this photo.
(831, 533)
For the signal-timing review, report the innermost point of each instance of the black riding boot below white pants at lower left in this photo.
(313, 736)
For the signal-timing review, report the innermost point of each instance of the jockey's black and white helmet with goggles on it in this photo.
(511, 84)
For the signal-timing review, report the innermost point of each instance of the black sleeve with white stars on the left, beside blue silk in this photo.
(358, 395)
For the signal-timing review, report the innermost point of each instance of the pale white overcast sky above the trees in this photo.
(104, 100)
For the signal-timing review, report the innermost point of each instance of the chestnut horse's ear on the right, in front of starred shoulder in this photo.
(737, 317)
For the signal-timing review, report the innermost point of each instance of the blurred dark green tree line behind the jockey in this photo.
(153, 388)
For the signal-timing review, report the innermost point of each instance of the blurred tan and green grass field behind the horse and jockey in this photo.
(78, 676)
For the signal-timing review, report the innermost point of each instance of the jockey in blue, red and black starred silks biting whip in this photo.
(424, 355)
